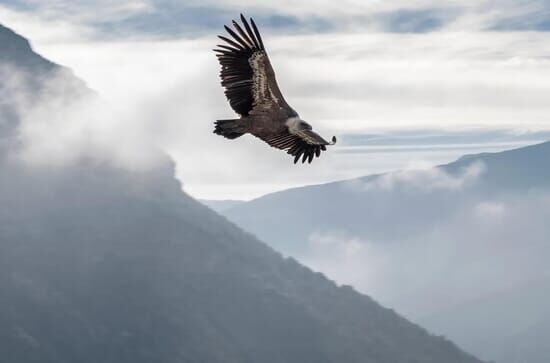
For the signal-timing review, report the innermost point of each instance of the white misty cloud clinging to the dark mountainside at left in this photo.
(62, 122)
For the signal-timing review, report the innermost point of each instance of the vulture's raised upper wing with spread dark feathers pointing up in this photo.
(246, 74)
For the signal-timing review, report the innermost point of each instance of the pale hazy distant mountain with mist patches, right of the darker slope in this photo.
(461, 248)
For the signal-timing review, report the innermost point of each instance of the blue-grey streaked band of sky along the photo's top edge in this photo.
(175, 18)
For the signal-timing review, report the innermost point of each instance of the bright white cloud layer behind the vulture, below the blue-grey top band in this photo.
(340, 82)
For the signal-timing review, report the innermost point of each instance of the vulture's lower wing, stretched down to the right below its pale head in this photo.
(304, 143)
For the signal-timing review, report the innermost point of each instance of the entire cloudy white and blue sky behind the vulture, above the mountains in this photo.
(400, 83)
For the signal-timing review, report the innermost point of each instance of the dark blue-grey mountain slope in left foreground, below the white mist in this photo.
(102, 264)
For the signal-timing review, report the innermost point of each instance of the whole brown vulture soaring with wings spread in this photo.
(253, 93)
